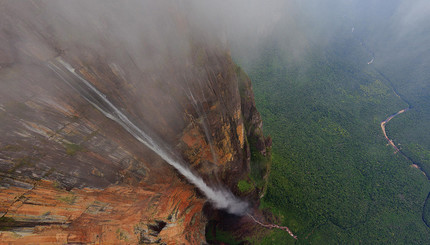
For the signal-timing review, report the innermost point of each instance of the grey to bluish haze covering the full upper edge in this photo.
(242, 25)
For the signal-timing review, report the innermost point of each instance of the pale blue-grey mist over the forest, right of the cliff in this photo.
(393, 30)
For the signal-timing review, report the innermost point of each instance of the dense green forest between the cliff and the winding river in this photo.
(334, 180)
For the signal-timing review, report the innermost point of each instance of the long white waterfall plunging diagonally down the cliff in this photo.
(220, 198)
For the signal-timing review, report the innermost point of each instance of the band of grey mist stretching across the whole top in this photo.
(152, 32)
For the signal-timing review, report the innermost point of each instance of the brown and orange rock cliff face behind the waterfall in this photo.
(68, 174)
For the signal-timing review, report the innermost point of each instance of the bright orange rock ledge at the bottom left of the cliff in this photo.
(119, 214)
